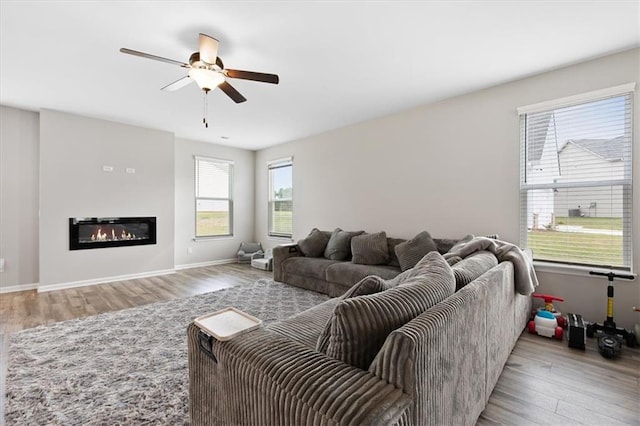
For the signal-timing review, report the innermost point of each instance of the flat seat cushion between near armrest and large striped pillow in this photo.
(305, 327)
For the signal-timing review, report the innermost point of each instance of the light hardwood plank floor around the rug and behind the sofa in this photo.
(544, 381)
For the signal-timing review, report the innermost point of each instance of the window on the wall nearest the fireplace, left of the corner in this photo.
(214, 202)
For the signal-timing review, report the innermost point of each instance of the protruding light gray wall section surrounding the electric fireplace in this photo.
(73, 150)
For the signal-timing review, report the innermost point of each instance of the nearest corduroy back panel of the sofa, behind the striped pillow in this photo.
(444, 348)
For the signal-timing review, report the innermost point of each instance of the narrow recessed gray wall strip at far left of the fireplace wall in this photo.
(19, 142)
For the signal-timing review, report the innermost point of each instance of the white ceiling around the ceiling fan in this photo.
(339, 62)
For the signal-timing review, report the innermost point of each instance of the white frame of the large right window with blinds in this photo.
(626, 183)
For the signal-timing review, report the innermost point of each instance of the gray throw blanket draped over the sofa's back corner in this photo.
(525, 277)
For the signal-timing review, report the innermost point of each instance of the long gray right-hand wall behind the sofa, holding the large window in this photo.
(451, 168)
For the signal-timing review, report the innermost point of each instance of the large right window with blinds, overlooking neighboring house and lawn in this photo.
(575, 185)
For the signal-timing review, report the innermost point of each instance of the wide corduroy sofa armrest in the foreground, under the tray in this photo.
(264, 378)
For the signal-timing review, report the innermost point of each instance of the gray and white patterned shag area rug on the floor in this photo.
(126, 367)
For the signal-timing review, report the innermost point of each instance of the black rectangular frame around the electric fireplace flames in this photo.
(76, 222)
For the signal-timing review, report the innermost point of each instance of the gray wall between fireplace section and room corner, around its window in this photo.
(211, 250)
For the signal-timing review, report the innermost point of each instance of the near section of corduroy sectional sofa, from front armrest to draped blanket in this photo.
(407, 351)
